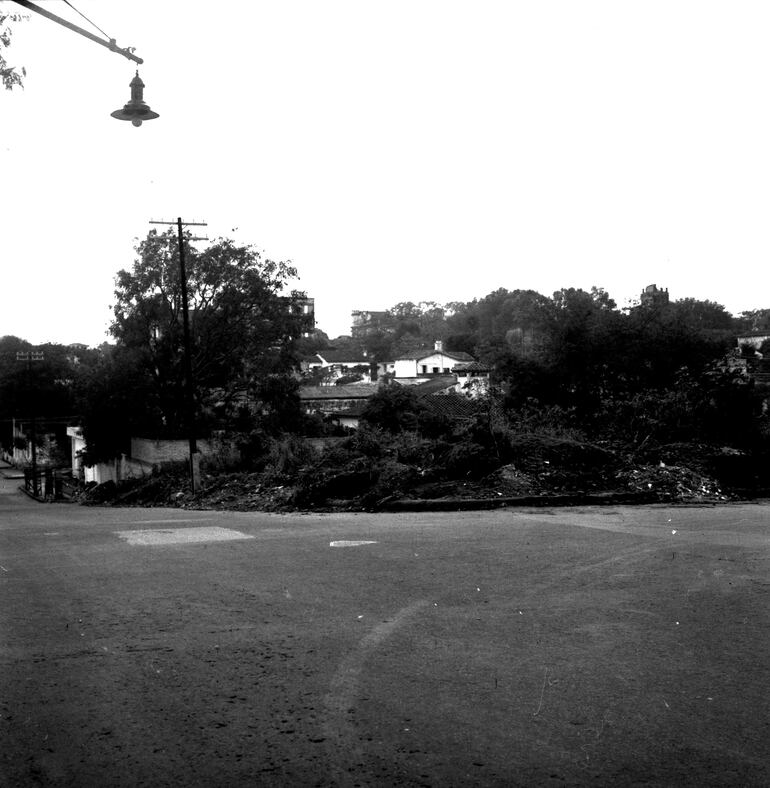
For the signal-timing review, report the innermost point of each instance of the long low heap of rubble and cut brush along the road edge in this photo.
(544, 469)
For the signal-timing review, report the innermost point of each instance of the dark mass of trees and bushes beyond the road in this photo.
(651, 401)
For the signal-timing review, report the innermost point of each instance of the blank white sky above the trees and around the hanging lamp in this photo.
(414, 150)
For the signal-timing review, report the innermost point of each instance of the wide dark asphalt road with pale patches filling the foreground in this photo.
(592, 646)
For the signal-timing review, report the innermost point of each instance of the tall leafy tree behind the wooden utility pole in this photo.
(242, 327)
